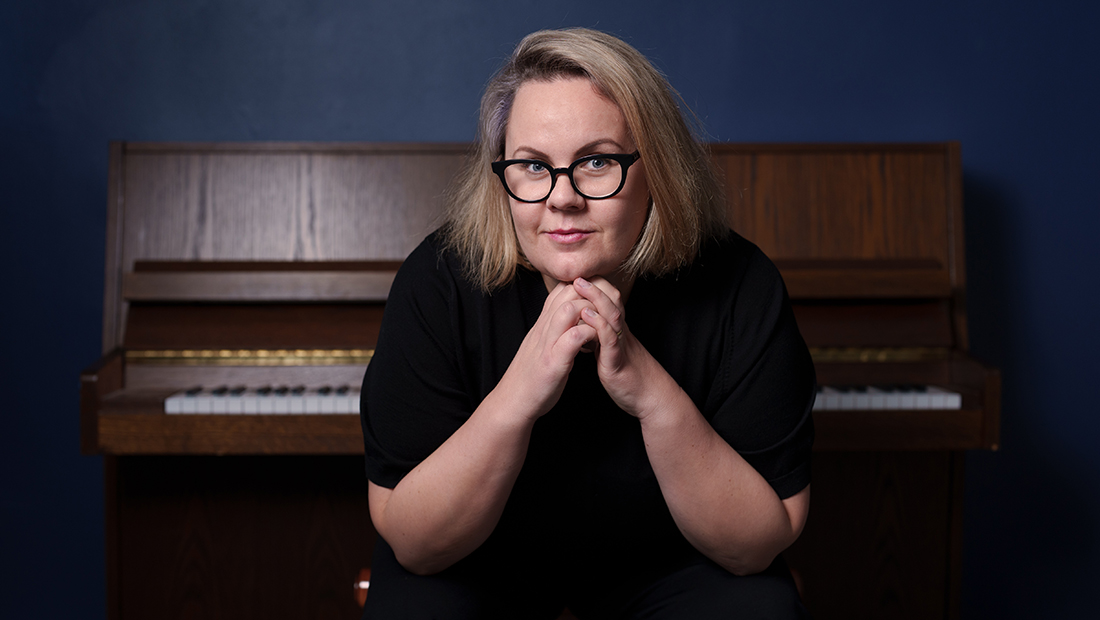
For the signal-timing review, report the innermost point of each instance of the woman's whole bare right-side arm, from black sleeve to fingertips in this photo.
(720, 503)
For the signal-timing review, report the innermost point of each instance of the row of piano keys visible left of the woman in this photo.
(281, 400)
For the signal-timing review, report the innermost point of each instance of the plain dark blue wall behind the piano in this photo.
(1017, 83)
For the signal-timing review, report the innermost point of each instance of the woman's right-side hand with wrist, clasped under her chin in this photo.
(630, 374)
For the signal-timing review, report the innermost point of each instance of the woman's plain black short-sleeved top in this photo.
(723, 329)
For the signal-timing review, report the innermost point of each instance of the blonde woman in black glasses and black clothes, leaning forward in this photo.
(588, 392)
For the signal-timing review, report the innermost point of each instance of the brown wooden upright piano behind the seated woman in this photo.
(247, 267)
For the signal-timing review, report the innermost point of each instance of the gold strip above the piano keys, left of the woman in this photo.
(252, 357)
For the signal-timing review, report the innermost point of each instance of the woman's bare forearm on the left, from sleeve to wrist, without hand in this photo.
(445, 508)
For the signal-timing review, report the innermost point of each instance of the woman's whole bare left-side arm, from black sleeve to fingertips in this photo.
(449, 505)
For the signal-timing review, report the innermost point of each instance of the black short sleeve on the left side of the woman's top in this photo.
(414, 396)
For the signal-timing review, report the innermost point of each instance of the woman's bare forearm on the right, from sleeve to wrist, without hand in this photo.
(720, 503)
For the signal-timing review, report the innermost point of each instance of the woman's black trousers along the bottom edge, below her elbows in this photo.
(695, 591)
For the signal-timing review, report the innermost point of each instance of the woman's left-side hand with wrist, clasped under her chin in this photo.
(538, 373)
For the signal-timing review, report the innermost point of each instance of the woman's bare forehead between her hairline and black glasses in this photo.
(564, 115)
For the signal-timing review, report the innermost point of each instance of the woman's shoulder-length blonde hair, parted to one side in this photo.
(687, 205)
